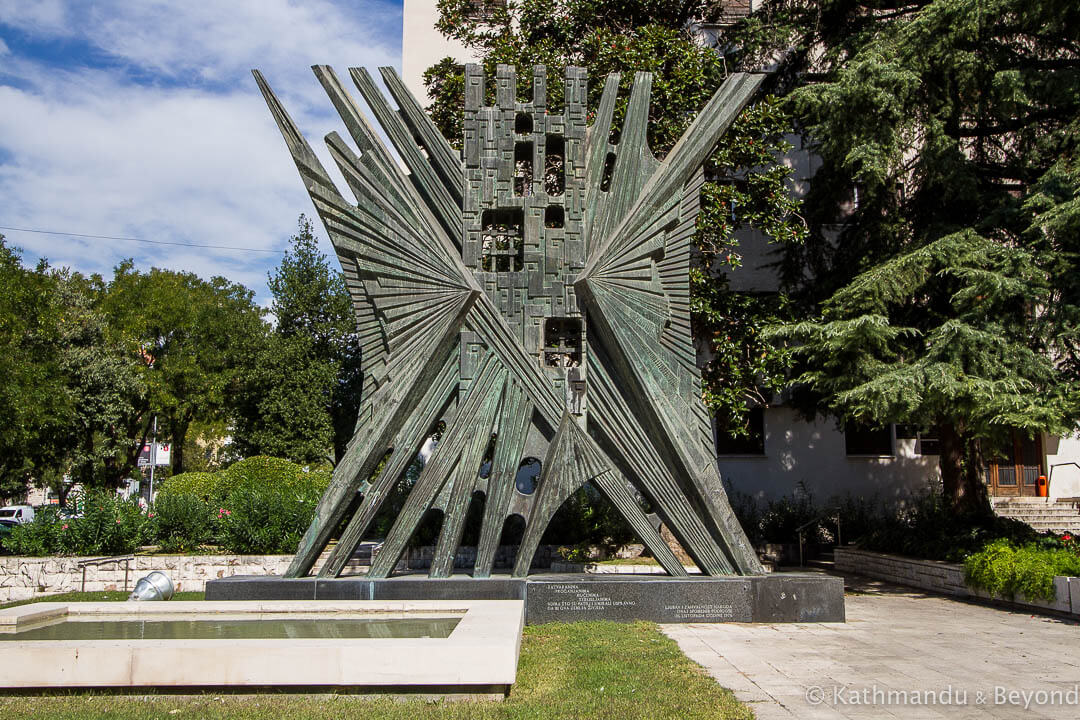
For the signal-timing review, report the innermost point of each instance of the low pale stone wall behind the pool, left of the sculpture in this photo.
(25, 578)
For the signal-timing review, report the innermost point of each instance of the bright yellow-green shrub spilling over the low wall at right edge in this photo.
(1007, 570)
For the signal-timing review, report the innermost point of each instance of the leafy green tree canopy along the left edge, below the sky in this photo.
(89, 363)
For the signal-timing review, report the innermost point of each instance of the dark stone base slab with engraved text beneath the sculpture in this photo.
(569, 597)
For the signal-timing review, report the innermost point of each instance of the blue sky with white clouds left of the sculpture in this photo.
(141, 119)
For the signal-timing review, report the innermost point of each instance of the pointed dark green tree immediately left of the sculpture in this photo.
(302, 387)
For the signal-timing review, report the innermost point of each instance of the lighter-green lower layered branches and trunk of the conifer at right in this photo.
(948, 336)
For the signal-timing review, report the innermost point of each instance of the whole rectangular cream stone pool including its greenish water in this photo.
(433, 648)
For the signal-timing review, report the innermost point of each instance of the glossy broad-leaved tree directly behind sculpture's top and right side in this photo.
(747, 183)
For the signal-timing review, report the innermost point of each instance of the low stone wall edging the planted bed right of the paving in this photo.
(947, 579)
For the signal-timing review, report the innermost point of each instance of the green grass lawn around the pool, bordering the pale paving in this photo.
(580, 671)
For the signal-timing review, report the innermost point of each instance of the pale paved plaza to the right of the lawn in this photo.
(902, 654)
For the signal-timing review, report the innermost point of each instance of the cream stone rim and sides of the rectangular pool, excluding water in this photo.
(481, 654)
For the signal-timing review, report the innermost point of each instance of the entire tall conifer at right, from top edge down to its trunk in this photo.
(949, 130)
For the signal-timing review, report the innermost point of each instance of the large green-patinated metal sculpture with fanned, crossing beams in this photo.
(531, 292)
